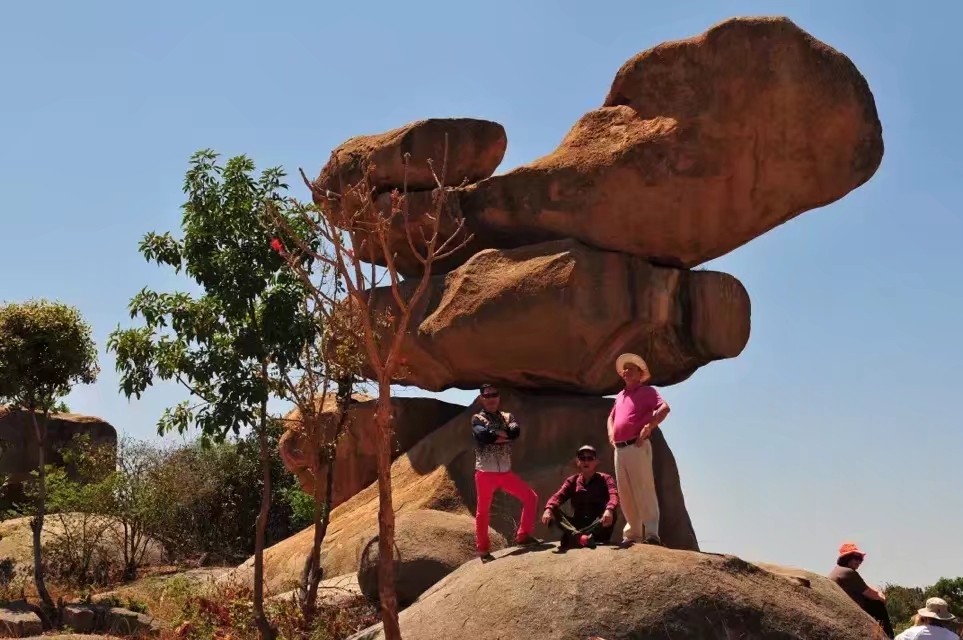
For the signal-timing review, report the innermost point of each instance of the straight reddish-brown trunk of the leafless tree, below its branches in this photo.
(386, 518)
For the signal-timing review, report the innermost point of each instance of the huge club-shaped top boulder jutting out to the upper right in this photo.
(700, 146)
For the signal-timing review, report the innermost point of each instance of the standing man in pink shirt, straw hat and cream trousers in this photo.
(638, 410)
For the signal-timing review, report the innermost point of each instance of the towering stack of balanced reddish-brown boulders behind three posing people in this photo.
(700, 146)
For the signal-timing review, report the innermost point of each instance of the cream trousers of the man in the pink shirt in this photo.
(637, 497)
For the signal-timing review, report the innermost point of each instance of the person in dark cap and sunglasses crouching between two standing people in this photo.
(594, 498)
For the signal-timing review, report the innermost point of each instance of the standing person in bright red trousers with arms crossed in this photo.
(493, 431)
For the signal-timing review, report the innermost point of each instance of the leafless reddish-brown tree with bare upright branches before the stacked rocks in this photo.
(351, 236)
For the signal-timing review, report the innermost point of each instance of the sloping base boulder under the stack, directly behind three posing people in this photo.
(438, 473)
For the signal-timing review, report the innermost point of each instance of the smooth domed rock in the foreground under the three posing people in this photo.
(642, 592)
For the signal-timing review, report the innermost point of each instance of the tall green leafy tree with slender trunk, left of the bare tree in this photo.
(225, 345)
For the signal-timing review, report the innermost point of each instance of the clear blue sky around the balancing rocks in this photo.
(840, 420)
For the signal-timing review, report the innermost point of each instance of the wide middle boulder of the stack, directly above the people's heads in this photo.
(554, 317)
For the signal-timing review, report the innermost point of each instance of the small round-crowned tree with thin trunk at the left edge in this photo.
(45, 349)
